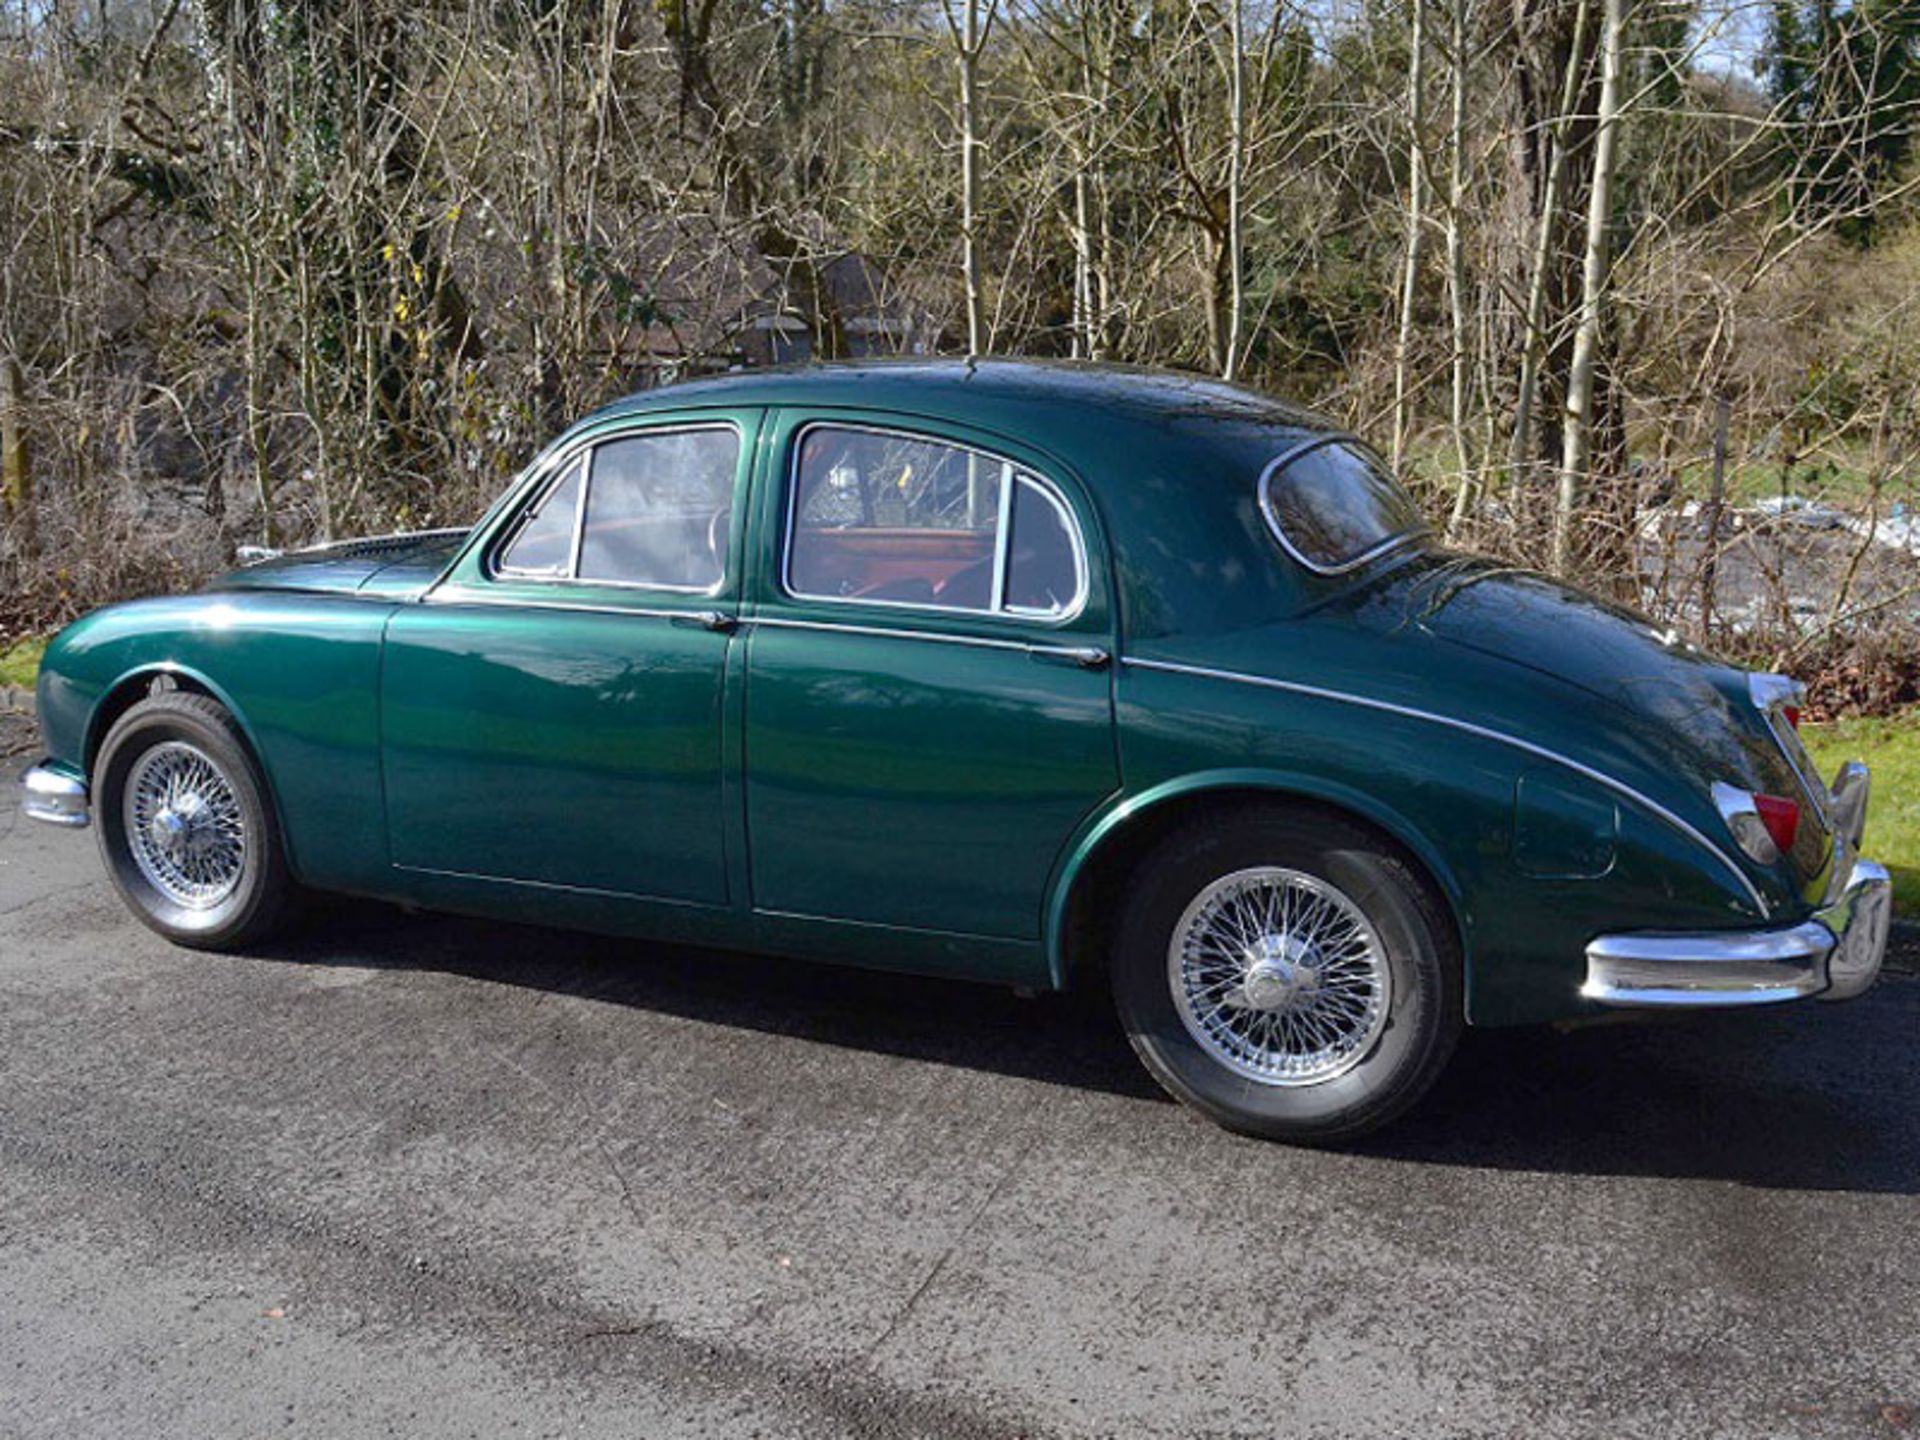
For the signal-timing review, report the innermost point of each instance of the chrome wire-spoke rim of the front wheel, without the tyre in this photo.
(185, 827)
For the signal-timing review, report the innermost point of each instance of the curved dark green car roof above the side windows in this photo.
(990, 393)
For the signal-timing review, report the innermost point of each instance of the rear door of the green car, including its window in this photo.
(928, 679)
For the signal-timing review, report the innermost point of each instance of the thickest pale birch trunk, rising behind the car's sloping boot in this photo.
(1577, 452)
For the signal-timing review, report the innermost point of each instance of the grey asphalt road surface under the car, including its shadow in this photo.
(431, 1178)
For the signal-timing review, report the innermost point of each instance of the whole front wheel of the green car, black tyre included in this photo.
(185, 825)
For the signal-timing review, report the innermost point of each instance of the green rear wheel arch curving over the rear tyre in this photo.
(1086, 900)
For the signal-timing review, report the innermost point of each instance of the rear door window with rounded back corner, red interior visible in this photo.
(894, 519)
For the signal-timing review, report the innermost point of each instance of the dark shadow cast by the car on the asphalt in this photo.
(1806, 1097)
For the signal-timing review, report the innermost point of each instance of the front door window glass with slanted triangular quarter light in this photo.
(652, 510)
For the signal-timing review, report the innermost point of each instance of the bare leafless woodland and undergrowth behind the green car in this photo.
(1629, 289)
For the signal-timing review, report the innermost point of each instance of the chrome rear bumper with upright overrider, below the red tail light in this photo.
(1833, 955)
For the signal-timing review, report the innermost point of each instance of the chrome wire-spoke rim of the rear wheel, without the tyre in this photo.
(1280, 976)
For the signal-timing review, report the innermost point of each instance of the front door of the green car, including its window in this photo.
(554, 711)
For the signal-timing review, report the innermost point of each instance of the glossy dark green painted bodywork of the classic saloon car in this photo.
(882, 794)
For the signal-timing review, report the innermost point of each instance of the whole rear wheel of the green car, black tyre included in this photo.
(1287, 974)
